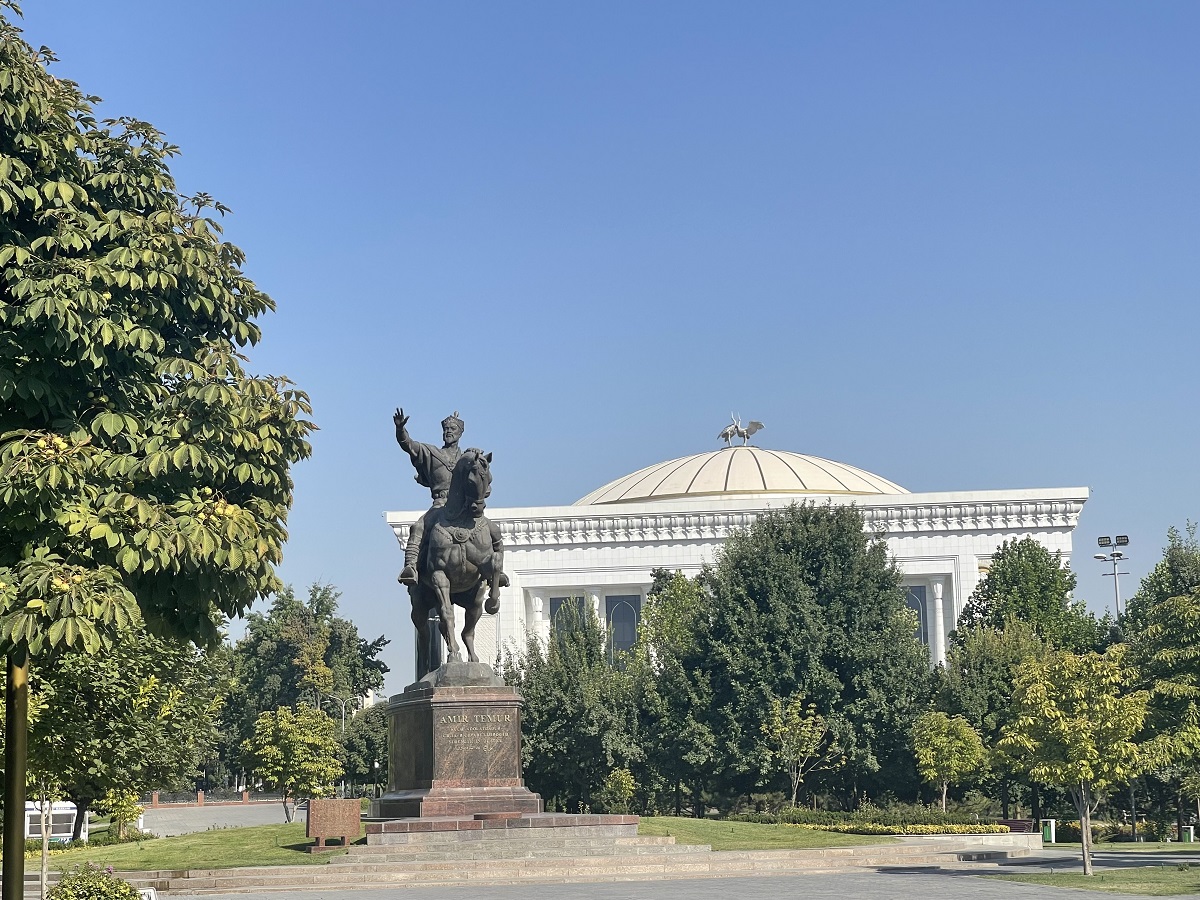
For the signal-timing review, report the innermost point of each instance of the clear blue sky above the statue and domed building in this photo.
(955, 244)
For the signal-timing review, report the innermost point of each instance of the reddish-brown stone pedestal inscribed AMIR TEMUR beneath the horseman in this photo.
(454, 741)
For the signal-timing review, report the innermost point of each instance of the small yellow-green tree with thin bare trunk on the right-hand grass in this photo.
(1076, 725)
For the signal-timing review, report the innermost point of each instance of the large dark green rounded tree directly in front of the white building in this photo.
(806, 603)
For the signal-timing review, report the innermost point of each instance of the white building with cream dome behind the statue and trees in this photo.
(676, 515)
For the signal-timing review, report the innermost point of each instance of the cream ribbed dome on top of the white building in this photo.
(741, 471)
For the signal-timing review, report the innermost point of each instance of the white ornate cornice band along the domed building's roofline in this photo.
(605, 527)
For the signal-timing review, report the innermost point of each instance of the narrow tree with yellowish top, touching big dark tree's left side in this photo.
(673, 695)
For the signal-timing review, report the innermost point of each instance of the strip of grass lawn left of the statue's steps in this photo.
(219, 849)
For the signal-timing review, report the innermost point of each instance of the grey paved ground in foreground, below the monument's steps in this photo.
(851, 886)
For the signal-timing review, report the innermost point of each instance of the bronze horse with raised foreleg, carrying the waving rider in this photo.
(461, 562)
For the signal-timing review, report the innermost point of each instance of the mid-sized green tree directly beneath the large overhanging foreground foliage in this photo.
(137, 718)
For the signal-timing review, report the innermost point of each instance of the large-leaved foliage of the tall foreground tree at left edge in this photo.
(141, 465)
